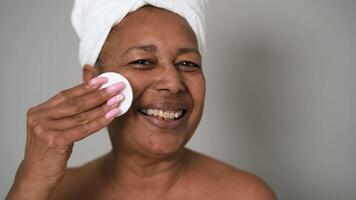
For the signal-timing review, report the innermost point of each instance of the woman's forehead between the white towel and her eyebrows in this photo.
(151, 25)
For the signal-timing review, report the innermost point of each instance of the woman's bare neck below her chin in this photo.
(135, 171)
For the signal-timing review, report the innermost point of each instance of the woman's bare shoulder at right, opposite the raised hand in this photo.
(230, 182)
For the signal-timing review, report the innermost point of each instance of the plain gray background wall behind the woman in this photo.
(281, 99)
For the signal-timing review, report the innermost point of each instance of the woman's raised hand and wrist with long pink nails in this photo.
(52, 129)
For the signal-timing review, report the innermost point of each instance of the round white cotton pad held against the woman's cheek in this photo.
(126, 92)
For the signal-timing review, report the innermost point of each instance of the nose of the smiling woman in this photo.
(170, 80)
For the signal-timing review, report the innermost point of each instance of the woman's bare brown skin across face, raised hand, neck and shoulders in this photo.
(148, 160)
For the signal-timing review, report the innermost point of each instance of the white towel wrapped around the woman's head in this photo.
(93, 20)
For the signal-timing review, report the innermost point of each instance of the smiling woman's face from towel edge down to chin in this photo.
(157, 51)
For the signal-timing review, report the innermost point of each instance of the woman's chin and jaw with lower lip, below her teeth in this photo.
(152, 137)
